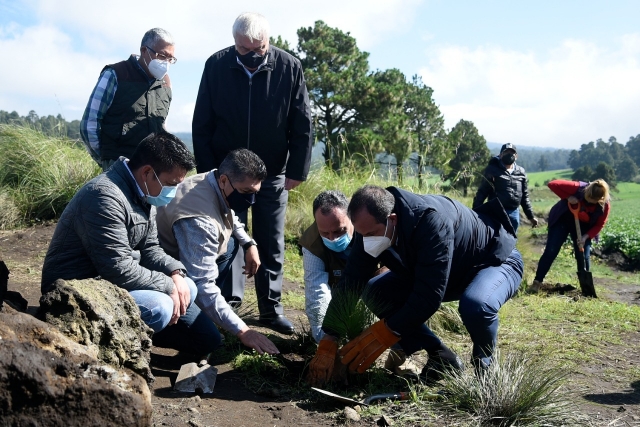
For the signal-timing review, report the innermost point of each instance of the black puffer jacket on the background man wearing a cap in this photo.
(510, 188)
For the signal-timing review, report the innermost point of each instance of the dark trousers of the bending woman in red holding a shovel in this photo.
(556, 237)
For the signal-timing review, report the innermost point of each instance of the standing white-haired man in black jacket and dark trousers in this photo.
(253, 95)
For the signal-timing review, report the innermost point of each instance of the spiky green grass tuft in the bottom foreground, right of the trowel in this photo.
(515, 390)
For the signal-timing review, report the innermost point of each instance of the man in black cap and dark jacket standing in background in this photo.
(506, 181)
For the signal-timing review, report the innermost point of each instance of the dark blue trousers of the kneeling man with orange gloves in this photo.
(479, 303)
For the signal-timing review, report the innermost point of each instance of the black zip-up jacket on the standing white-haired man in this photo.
(268, 114)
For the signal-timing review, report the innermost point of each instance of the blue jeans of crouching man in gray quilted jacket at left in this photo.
(194, 333)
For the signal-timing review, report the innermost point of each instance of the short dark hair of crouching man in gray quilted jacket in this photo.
(163, 152)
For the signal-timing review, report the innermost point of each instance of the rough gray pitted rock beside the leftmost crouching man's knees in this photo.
(103, 317)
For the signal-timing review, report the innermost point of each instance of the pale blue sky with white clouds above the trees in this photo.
(544, 73)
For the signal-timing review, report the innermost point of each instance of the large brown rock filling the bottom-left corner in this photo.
(46, 379)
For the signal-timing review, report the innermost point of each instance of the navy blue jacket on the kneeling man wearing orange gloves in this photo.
(442, 244)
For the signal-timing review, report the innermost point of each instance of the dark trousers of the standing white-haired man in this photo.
(267, 228)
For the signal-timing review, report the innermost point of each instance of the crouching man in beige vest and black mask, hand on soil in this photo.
(199, 227)
